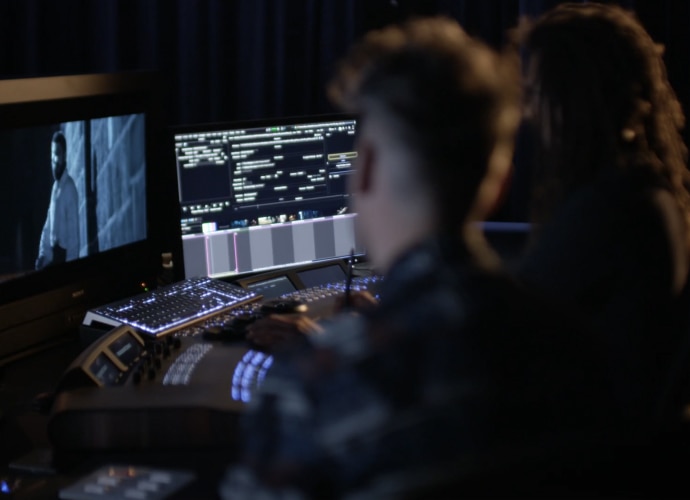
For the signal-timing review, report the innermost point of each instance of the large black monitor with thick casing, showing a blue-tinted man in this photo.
(79, 218)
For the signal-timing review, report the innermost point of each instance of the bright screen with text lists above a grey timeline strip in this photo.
(263, 195)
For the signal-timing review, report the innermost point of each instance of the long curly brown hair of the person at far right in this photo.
(602, 82)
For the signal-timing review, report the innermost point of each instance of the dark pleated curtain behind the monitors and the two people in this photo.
(224, 60)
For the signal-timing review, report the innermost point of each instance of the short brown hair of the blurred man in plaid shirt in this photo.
(453, 100)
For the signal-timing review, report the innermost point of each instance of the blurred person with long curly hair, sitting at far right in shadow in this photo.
(611, 205)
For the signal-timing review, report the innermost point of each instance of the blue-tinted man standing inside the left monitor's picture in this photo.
(60, 235)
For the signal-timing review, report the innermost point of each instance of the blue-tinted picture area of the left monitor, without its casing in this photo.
(79, 186)
